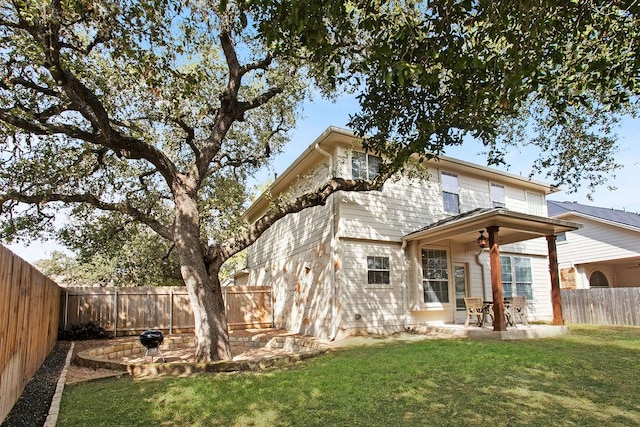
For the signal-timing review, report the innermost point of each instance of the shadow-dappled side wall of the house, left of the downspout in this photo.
(294, 257)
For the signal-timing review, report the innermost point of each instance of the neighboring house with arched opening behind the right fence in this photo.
(604, 253)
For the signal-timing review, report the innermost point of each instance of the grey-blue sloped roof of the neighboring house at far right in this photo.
(606, 215)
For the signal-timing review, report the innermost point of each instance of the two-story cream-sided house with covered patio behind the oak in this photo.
(384, 261)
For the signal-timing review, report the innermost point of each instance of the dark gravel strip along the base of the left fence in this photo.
(33, 406)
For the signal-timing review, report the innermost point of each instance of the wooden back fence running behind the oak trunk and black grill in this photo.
(129, 311)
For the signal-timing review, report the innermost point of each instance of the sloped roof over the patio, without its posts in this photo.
(513, 227)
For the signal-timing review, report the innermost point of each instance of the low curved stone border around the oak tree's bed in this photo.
(106, 357)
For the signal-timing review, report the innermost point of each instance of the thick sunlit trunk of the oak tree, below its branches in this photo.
(205, 294)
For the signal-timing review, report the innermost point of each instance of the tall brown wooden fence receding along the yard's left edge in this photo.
(29, 306)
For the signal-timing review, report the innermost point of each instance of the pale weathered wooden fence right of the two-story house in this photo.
(602, 306)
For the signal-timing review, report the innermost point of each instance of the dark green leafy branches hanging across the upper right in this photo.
(555, 75)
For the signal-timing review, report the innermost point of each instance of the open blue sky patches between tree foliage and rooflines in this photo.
(319, 114)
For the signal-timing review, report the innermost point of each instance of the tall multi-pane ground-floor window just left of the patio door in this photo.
(435, 276)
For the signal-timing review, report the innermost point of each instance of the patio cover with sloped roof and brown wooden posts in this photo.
(502, 227)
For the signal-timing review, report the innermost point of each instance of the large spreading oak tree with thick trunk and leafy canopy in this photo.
(155, 112)
